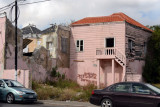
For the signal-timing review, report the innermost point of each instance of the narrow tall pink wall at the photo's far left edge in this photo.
(2, 43)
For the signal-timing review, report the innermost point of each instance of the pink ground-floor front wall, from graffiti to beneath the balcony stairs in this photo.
(95, 72)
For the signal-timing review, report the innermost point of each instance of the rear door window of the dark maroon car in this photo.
(122, 88)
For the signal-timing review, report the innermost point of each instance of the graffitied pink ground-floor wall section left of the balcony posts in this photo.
(84, 71)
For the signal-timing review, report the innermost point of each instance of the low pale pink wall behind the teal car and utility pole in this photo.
(22, 76)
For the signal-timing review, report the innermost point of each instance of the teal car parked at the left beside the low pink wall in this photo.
(11, 91)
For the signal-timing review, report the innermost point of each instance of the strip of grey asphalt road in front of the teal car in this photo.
(2, 104)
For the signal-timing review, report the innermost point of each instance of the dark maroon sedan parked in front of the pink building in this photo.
(127, 94)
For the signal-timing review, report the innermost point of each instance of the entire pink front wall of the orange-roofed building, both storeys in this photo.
(84, 65)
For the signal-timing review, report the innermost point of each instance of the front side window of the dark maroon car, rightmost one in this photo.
(140, 88)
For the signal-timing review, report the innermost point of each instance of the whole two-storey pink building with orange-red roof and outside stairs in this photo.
(106, 50)
